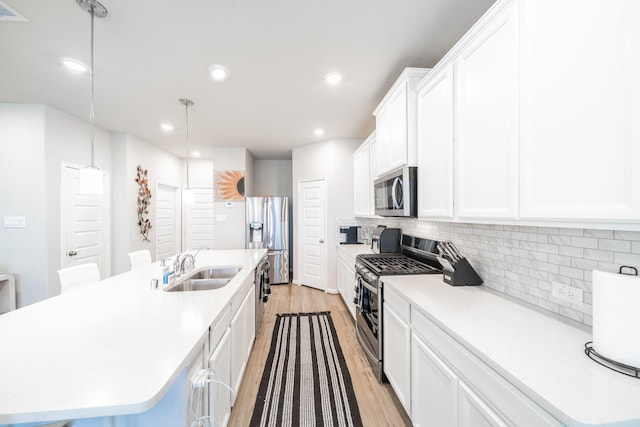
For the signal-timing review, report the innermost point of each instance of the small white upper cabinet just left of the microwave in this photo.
(363, 178)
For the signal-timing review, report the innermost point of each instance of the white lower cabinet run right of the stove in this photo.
(441, 383)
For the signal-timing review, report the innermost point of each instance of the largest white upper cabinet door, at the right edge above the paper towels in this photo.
(580, 110)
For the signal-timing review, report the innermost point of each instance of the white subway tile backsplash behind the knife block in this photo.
(522, 261)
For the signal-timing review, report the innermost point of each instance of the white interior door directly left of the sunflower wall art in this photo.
(199, 219)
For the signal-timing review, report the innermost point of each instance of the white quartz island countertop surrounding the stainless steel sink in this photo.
(113, 347)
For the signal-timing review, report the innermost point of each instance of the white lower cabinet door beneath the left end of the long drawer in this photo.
(434, 389)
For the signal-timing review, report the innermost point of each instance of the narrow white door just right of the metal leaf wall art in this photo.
(166, 222)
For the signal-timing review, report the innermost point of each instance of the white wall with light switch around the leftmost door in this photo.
(34, 141)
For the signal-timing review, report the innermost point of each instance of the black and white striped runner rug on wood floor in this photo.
(305, 381)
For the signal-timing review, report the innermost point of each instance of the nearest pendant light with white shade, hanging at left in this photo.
(91, 178)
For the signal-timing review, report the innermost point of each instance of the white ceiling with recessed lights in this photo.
(150, 53)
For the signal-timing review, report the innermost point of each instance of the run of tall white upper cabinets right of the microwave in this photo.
(541, 114)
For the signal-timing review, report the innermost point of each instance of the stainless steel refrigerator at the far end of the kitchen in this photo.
(268, 228)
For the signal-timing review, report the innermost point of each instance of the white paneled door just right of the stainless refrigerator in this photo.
(311, 232)
